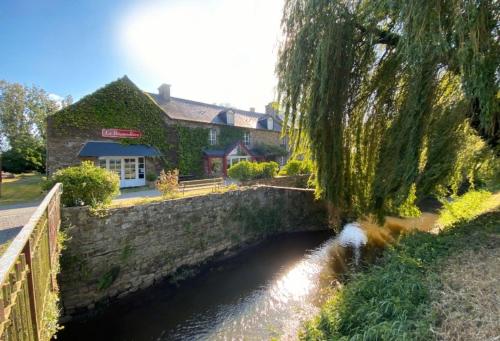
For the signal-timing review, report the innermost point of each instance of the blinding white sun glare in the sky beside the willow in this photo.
(213, 51)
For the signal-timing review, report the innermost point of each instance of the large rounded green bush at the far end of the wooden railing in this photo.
(86, 184)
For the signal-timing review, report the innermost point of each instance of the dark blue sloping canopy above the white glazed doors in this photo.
(96, 149)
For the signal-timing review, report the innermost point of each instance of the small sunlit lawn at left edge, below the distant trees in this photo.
(23, 188)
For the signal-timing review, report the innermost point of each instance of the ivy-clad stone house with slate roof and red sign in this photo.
(133, 133)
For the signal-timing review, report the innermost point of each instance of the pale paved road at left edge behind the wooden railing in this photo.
(13, 218)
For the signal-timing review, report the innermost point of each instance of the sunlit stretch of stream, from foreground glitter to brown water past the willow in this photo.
(279, 308)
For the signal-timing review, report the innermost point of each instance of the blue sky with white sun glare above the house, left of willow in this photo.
(214, 51)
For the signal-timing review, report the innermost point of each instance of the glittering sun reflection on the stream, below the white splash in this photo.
(277, 309)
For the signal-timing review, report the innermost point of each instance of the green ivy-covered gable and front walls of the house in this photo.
(121, 104)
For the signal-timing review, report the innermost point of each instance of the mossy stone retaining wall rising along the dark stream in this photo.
(131, 248)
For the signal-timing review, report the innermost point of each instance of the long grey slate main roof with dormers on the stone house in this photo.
(187, 110)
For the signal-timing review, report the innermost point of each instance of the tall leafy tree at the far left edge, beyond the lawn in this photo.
(23, 113)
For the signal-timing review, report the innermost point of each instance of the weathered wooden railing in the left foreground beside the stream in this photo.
(27, 273)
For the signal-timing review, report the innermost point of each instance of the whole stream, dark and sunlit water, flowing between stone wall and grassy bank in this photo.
(264, 292)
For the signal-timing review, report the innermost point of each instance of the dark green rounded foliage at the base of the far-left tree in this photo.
(26, 155)
